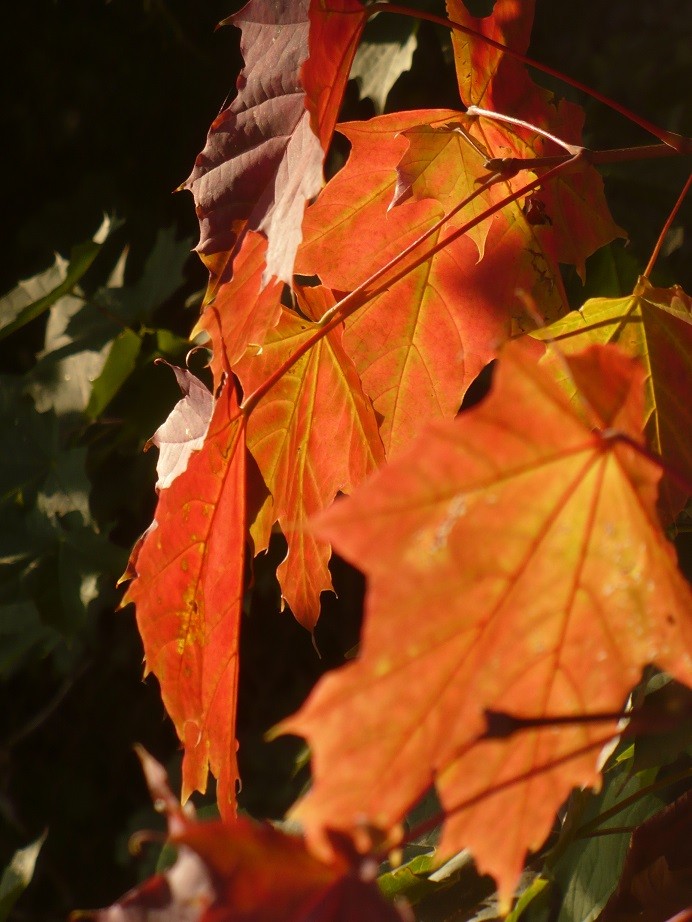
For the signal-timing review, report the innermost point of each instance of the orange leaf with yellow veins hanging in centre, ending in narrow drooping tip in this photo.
(313, 435)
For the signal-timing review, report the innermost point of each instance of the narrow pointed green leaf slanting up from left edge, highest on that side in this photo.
(35, 296)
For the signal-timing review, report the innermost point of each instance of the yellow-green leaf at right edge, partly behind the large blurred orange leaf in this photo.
(655, 325)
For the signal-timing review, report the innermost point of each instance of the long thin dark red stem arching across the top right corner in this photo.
(677, 142)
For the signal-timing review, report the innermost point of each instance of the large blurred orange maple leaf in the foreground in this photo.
(553, 610)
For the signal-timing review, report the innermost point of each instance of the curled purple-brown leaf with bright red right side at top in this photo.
(262, 160)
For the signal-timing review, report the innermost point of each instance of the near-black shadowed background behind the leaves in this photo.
(105, 105)
